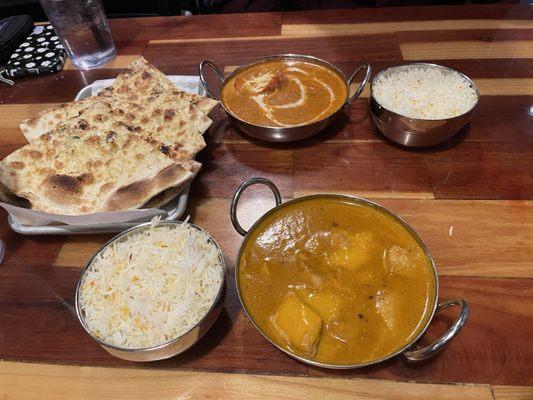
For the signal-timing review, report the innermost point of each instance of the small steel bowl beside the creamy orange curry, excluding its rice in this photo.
(414, 132)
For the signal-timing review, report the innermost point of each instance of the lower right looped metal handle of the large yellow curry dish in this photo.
(440, 343)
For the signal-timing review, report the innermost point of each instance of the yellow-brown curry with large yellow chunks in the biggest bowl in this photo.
(336, 281)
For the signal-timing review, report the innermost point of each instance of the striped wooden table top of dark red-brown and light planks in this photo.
(470, 199)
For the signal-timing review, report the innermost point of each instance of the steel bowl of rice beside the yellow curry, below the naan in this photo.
(152, 291)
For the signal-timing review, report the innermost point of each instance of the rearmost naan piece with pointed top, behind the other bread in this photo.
(140, 83)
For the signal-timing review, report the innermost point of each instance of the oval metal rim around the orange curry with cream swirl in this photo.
(260, 60)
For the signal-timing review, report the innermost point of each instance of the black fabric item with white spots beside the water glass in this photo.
(41, 53)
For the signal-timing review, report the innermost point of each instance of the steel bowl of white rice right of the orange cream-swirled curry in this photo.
(421, 104)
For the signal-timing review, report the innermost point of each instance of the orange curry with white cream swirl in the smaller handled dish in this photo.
(284, 93)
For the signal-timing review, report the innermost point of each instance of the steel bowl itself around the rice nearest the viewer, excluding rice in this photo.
(177, 345)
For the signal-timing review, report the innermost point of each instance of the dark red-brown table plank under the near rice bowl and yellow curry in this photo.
(45, 318)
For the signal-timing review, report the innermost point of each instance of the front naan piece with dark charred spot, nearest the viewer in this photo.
(69, 174)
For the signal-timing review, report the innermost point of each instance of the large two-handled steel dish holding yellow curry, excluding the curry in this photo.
(407, 350)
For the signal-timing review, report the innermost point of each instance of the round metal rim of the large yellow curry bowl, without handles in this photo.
(352, 199)
